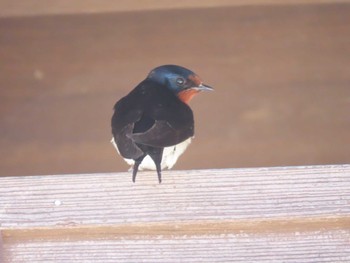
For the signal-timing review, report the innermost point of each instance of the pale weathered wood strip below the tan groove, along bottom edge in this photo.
(315, 246)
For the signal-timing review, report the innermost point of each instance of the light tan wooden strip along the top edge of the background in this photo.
(10, 8)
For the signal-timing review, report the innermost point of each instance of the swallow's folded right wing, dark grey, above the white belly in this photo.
(162, 134)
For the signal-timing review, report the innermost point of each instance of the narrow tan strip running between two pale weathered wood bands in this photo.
(93, 232)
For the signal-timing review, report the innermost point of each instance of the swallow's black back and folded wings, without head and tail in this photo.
(150, 115)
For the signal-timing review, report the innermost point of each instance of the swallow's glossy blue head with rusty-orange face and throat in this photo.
(183, 82)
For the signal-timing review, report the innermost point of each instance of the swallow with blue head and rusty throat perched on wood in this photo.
(153, 124)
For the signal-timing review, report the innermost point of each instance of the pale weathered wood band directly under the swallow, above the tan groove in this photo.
(228, 194)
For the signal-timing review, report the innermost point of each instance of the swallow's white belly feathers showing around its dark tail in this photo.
(169, 158)
